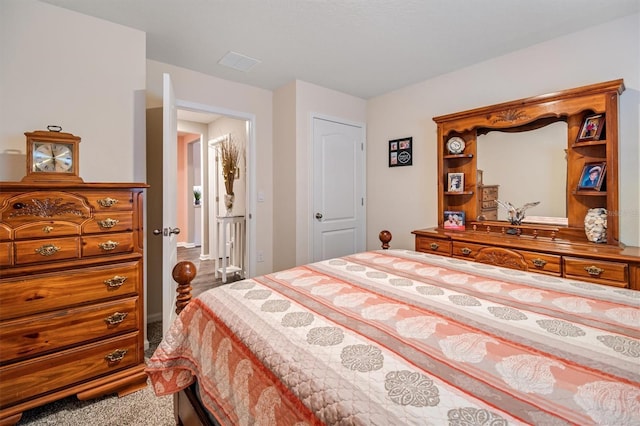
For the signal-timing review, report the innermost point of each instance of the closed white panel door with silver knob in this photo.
(338, 189)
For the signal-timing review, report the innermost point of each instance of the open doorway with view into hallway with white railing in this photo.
(220, 231)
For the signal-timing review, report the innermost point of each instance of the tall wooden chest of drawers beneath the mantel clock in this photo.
(71, 292)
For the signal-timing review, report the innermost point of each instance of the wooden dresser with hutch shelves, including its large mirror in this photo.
(536, 150)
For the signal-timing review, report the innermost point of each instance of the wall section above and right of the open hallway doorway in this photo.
(205, 90)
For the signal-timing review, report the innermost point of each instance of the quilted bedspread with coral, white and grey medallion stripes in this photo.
(397, 337)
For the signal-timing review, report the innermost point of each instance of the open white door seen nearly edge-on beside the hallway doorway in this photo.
(169, 202)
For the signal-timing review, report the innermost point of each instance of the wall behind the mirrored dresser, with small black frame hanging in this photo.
(405, 198)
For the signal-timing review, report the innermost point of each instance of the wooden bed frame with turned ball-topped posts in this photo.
(187, 409)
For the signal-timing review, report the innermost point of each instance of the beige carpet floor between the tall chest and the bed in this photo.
(141, 408)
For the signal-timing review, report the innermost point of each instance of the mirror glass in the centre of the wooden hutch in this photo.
(529, 166)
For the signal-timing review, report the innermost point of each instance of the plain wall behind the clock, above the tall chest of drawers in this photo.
(84, 74)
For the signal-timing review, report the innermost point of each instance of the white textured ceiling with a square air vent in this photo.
(361, 47)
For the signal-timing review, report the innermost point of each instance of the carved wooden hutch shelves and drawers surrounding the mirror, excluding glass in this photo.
(556, 250)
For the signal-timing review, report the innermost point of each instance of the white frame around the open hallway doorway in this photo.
(251, 191)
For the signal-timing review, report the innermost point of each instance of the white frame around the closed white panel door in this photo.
(310, 169)
